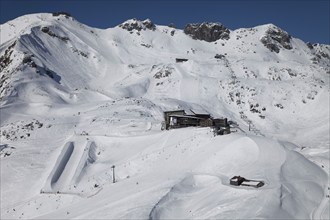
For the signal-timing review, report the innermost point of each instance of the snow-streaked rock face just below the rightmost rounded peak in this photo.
(276, 38)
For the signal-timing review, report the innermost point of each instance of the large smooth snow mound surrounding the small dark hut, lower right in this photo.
(204, 196)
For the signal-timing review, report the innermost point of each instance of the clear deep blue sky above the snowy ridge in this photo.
(304, 19)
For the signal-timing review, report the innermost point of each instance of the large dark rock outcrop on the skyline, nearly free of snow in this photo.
(207, 31)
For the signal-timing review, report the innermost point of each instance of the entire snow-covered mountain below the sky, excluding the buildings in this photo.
(76, 100)
